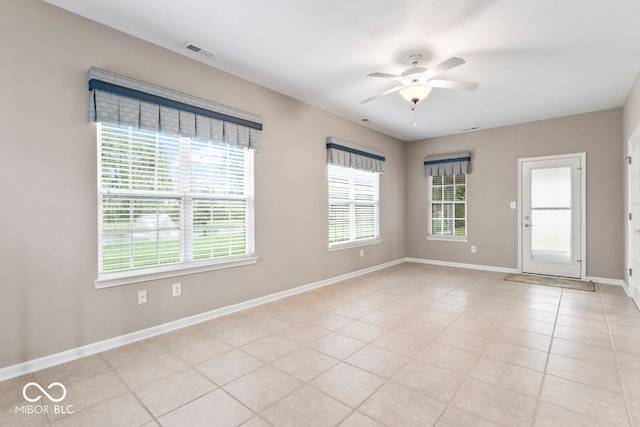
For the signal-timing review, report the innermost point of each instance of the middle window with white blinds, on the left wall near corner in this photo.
(353, 205)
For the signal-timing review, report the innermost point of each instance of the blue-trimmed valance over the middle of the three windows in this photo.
(343, 153)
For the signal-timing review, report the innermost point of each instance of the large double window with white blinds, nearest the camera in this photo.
(167, 202)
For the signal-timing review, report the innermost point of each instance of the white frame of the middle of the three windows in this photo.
(351, 201)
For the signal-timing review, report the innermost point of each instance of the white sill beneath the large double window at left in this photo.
(126, 278)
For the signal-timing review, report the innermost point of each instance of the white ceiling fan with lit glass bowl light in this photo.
(417, 82)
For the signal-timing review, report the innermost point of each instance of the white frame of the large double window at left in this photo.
(185, 197)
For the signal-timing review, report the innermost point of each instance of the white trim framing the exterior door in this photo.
(583, 206)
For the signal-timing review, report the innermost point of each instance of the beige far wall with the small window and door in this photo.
(492, 186)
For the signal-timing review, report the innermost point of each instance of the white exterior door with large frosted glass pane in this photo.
(551, 215)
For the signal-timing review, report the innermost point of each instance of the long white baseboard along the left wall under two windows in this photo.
(34, 365)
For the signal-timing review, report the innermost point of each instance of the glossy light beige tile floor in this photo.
(409, 345)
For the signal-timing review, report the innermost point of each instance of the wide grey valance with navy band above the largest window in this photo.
(121, 100)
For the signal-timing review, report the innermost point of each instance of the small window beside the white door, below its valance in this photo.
(448, 206)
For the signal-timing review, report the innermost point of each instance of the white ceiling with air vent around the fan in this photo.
(533, 59)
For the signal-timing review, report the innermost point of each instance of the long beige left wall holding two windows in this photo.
(48, 249)
